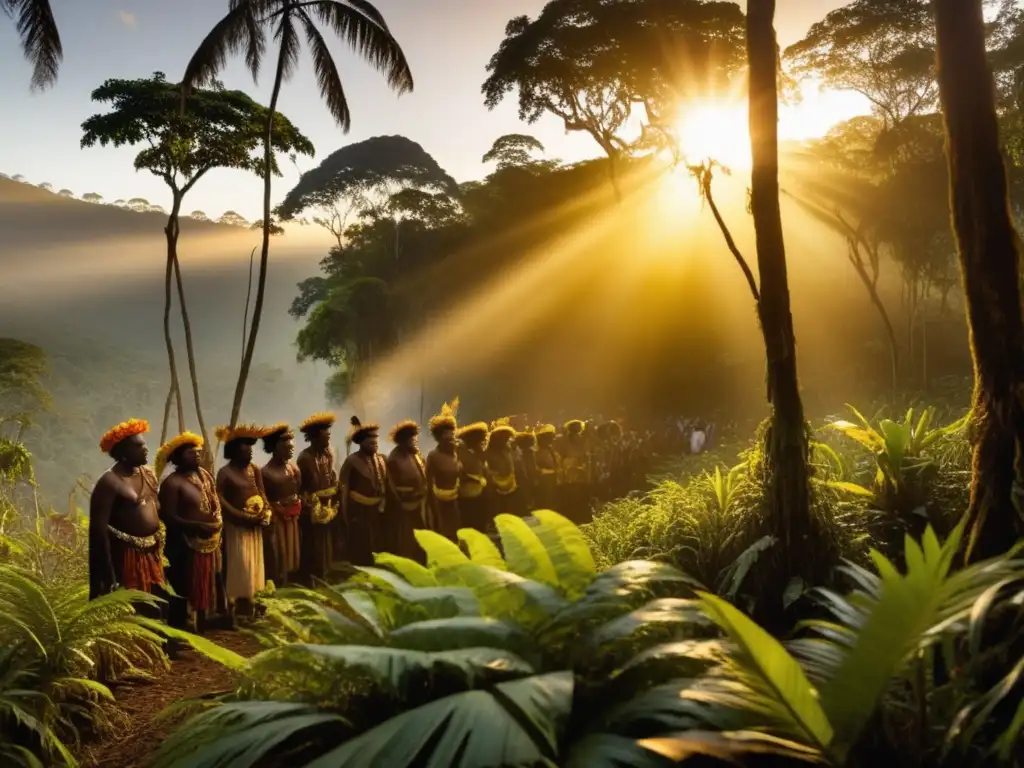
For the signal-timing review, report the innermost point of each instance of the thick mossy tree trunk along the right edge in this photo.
(990, 264)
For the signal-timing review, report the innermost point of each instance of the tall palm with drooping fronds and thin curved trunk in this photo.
(245, 30)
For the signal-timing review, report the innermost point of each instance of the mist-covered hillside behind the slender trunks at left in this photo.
(86, 282)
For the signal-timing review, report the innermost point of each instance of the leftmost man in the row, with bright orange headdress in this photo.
(125, 534)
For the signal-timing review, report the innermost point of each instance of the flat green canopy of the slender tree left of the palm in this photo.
(219, 129)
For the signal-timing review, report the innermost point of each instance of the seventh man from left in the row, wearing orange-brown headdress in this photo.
(407, 475)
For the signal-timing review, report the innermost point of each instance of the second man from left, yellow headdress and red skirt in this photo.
(191, 510)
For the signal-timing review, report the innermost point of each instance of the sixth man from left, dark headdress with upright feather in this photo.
(363, 486)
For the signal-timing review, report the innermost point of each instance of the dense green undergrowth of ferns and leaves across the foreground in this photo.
(633, 642)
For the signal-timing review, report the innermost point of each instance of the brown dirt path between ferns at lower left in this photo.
(191, 675)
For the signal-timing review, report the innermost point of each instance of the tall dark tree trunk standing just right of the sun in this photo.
(787, 441)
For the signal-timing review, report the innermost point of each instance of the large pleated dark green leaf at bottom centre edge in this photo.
(514, 724)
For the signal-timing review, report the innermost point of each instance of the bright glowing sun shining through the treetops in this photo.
(715, 131)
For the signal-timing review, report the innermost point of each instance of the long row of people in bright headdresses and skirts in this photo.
(218, 541)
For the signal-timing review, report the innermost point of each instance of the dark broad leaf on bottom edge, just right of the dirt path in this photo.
(244, 735)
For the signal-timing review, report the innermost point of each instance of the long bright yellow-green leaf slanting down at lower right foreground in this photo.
(774, 674)
